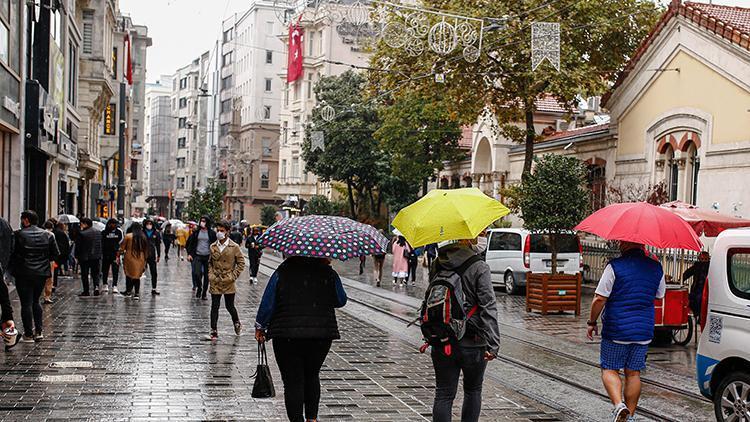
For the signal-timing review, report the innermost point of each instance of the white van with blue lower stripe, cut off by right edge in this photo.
(723, 361)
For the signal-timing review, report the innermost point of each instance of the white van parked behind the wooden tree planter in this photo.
(511, 253)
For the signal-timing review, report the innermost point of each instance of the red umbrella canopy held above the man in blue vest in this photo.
(644, 223)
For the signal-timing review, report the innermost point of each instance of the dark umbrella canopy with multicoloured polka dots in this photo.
(324, 237)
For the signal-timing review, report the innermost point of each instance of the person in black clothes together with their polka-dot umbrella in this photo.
(298, 307)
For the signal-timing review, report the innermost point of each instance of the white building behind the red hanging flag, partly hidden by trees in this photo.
(322, 44)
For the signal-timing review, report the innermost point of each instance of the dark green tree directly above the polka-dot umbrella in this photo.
(351, 154)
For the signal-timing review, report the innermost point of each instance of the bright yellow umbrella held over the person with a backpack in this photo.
(448, 215)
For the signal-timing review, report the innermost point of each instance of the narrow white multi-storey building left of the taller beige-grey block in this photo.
(189, 107)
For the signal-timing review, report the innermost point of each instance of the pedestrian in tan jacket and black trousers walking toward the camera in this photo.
(224, 268)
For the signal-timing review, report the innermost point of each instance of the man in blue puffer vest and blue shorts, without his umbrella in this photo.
(626, 294)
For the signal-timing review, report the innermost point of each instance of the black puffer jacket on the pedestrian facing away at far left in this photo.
(33, 250)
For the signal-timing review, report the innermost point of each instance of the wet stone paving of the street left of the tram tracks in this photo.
(111, 358)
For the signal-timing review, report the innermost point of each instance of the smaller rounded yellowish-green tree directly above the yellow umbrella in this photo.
(420, 135)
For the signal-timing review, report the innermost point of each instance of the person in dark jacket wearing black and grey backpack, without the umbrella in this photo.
(459, 321)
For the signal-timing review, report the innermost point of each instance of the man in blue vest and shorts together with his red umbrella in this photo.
(626, 292)
